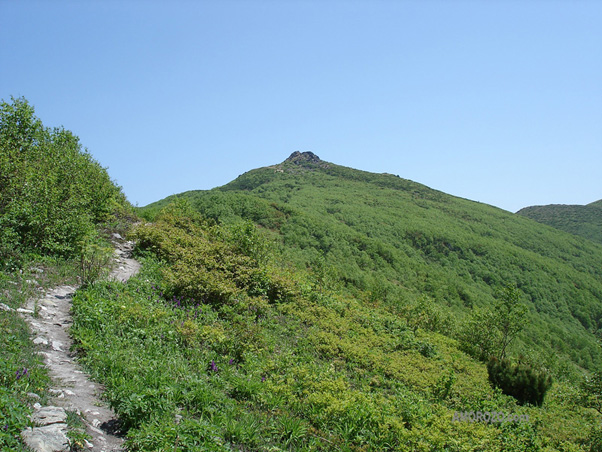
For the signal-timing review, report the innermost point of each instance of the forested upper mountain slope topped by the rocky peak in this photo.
(398, 241)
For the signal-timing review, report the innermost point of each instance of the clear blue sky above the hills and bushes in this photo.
(495, 101)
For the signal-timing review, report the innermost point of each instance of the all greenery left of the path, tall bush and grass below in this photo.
(57, 206)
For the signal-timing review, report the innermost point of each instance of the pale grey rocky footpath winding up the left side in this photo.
(72, 390)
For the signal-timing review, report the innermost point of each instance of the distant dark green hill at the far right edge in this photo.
(585, 221)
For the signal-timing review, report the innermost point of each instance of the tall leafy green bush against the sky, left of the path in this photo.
(52, 192)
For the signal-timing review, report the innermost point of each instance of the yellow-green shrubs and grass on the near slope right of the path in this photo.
(257, 355)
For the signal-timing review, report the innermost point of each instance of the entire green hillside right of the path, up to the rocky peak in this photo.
(312, 307)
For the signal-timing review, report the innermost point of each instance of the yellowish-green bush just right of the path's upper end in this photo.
(211, 263)
